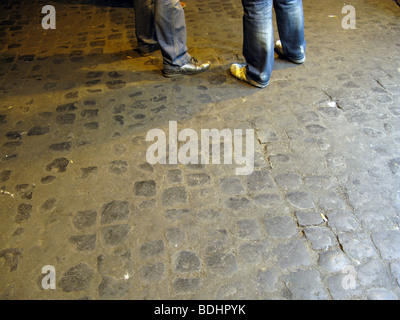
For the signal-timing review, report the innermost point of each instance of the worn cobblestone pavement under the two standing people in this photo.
(317, 219)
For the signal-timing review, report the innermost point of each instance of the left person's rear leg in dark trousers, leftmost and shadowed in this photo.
(144, 26)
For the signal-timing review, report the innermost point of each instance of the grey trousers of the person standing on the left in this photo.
(162, 23)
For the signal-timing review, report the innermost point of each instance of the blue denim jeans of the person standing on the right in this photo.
(258, 35)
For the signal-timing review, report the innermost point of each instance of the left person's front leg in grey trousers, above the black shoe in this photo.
(170, 28)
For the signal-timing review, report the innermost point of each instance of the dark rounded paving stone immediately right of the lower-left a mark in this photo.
(77, 278)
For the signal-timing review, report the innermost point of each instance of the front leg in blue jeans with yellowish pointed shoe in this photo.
(258, 43)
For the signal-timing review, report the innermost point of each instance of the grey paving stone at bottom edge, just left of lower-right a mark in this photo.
(306, 285)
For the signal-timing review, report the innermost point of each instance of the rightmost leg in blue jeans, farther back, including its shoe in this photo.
(290, 22)
